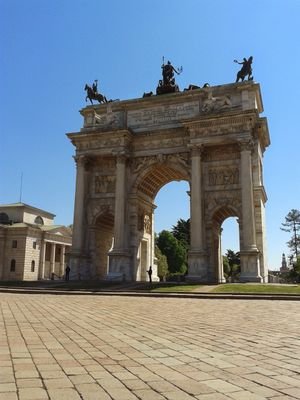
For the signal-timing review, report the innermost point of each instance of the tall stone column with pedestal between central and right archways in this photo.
(197, 257)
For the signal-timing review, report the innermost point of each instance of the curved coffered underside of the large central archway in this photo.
(153, 177)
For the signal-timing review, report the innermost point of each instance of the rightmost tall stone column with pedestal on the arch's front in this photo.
(249, 252)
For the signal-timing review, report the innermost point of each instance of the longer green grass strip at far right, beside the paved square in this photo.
(257, 288)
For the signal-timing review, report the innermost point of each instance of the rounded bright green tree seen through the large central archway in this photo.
(174, 251)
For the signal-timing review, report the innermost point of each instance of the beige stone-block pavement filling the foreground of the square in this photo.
(123, 348)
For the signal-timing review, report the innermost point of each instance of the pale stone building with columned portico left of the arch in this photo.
(31, 246)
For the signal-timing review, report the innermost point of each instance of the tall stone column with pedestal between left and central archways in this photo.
(119, 257)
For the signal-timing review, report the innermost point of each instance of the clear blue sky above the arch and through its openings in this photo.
(51, 48)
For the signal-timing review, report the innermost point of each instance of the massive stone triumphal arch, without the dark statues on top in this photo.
(212, 137)
